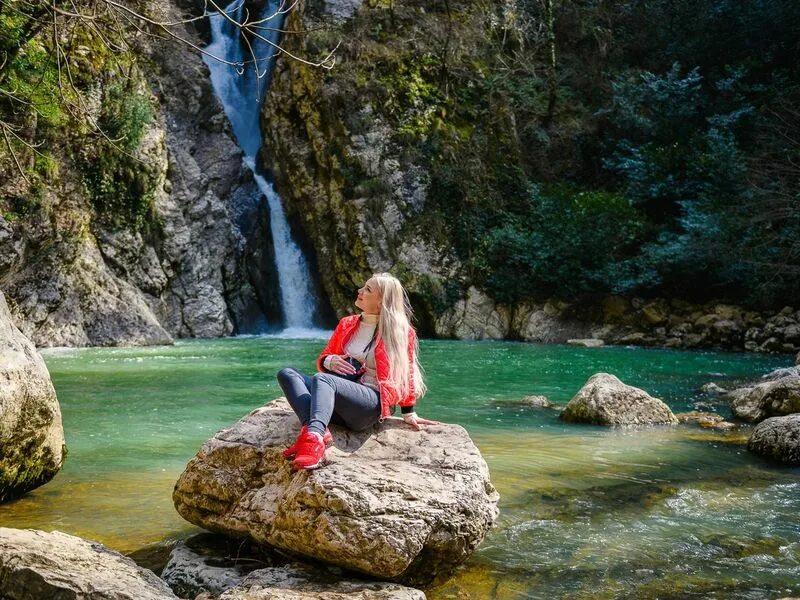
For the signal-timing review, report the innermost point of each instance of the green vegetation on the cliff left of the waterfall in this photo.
(72, 95)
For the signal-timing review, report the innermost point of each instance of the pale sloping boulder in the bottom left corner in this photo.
(35, 565)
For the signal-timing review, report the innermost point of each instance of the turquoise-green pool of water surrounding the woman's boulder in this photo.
(586, 512)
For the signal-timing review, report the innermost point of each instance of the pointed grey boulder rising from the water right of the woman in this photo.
(605, 400)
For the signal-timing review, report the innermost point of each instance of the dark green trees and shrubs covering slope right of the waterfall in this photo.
(577, 149)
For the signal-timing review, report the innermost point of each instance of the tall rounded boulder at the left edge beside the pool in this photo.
(31, 435)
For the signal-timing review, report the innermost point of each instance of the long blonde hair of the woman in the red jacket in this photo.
(393, 328)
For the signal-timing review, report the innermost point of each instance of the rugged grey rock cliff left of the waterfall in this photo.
(141, 246)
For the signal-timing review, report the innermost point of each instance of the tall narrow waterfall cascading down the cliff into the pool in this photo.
(241, 93)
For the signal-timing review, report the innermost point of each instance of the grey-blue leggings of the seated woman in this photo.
(326, 398)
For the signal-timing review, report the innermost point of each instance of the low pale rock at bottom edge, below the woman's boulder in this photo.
(296, 582)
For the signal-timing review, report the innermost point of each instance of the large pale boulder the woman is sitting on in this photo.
(390, 502)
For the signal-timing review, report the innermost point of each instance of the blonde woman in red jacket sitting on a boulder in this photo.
(369, 366)
